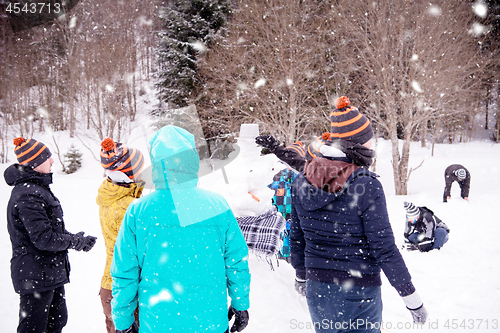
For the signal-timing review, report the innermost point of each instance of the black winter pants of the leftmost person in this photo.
(44, 312)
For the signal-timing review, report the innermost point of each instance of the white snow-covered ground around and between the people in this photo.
(458, 283)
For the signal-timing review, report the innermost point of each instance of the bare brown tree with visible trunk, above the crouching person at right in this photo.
(414, 62)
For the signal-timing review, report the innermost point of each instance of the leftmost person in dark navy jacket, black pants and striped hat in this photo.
(39, 264)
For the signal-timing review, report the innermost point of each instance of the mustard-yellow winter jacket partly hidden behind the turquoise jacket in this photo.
(113, 200)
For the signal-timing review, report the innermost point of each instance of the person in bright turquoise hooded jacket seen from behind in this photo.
(179, 251)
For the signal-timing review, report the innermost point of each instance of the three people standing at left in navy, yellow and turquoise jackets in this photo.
(173, 256)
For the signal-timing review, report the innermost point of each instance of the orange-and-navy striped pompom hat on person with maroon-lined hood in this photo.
(348, 124)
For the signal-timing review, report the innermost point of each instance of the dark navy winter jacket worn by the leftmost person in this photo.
(36, 228)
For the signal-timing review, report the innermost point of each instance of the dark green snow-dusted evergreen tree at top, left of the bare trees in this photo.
(187, 28)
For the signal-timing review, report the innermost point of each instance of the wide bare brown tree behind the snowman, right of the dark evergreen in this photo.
(275, 68)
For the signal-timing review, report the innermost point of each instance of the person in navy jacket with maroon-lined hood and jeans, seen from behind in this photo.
(341, 237)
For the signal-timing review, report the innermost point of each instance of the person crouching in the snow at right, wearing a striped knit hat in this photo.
(424, 231)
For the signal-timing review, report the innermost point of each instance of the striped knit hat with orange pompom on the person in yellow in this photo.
(116, 156)
